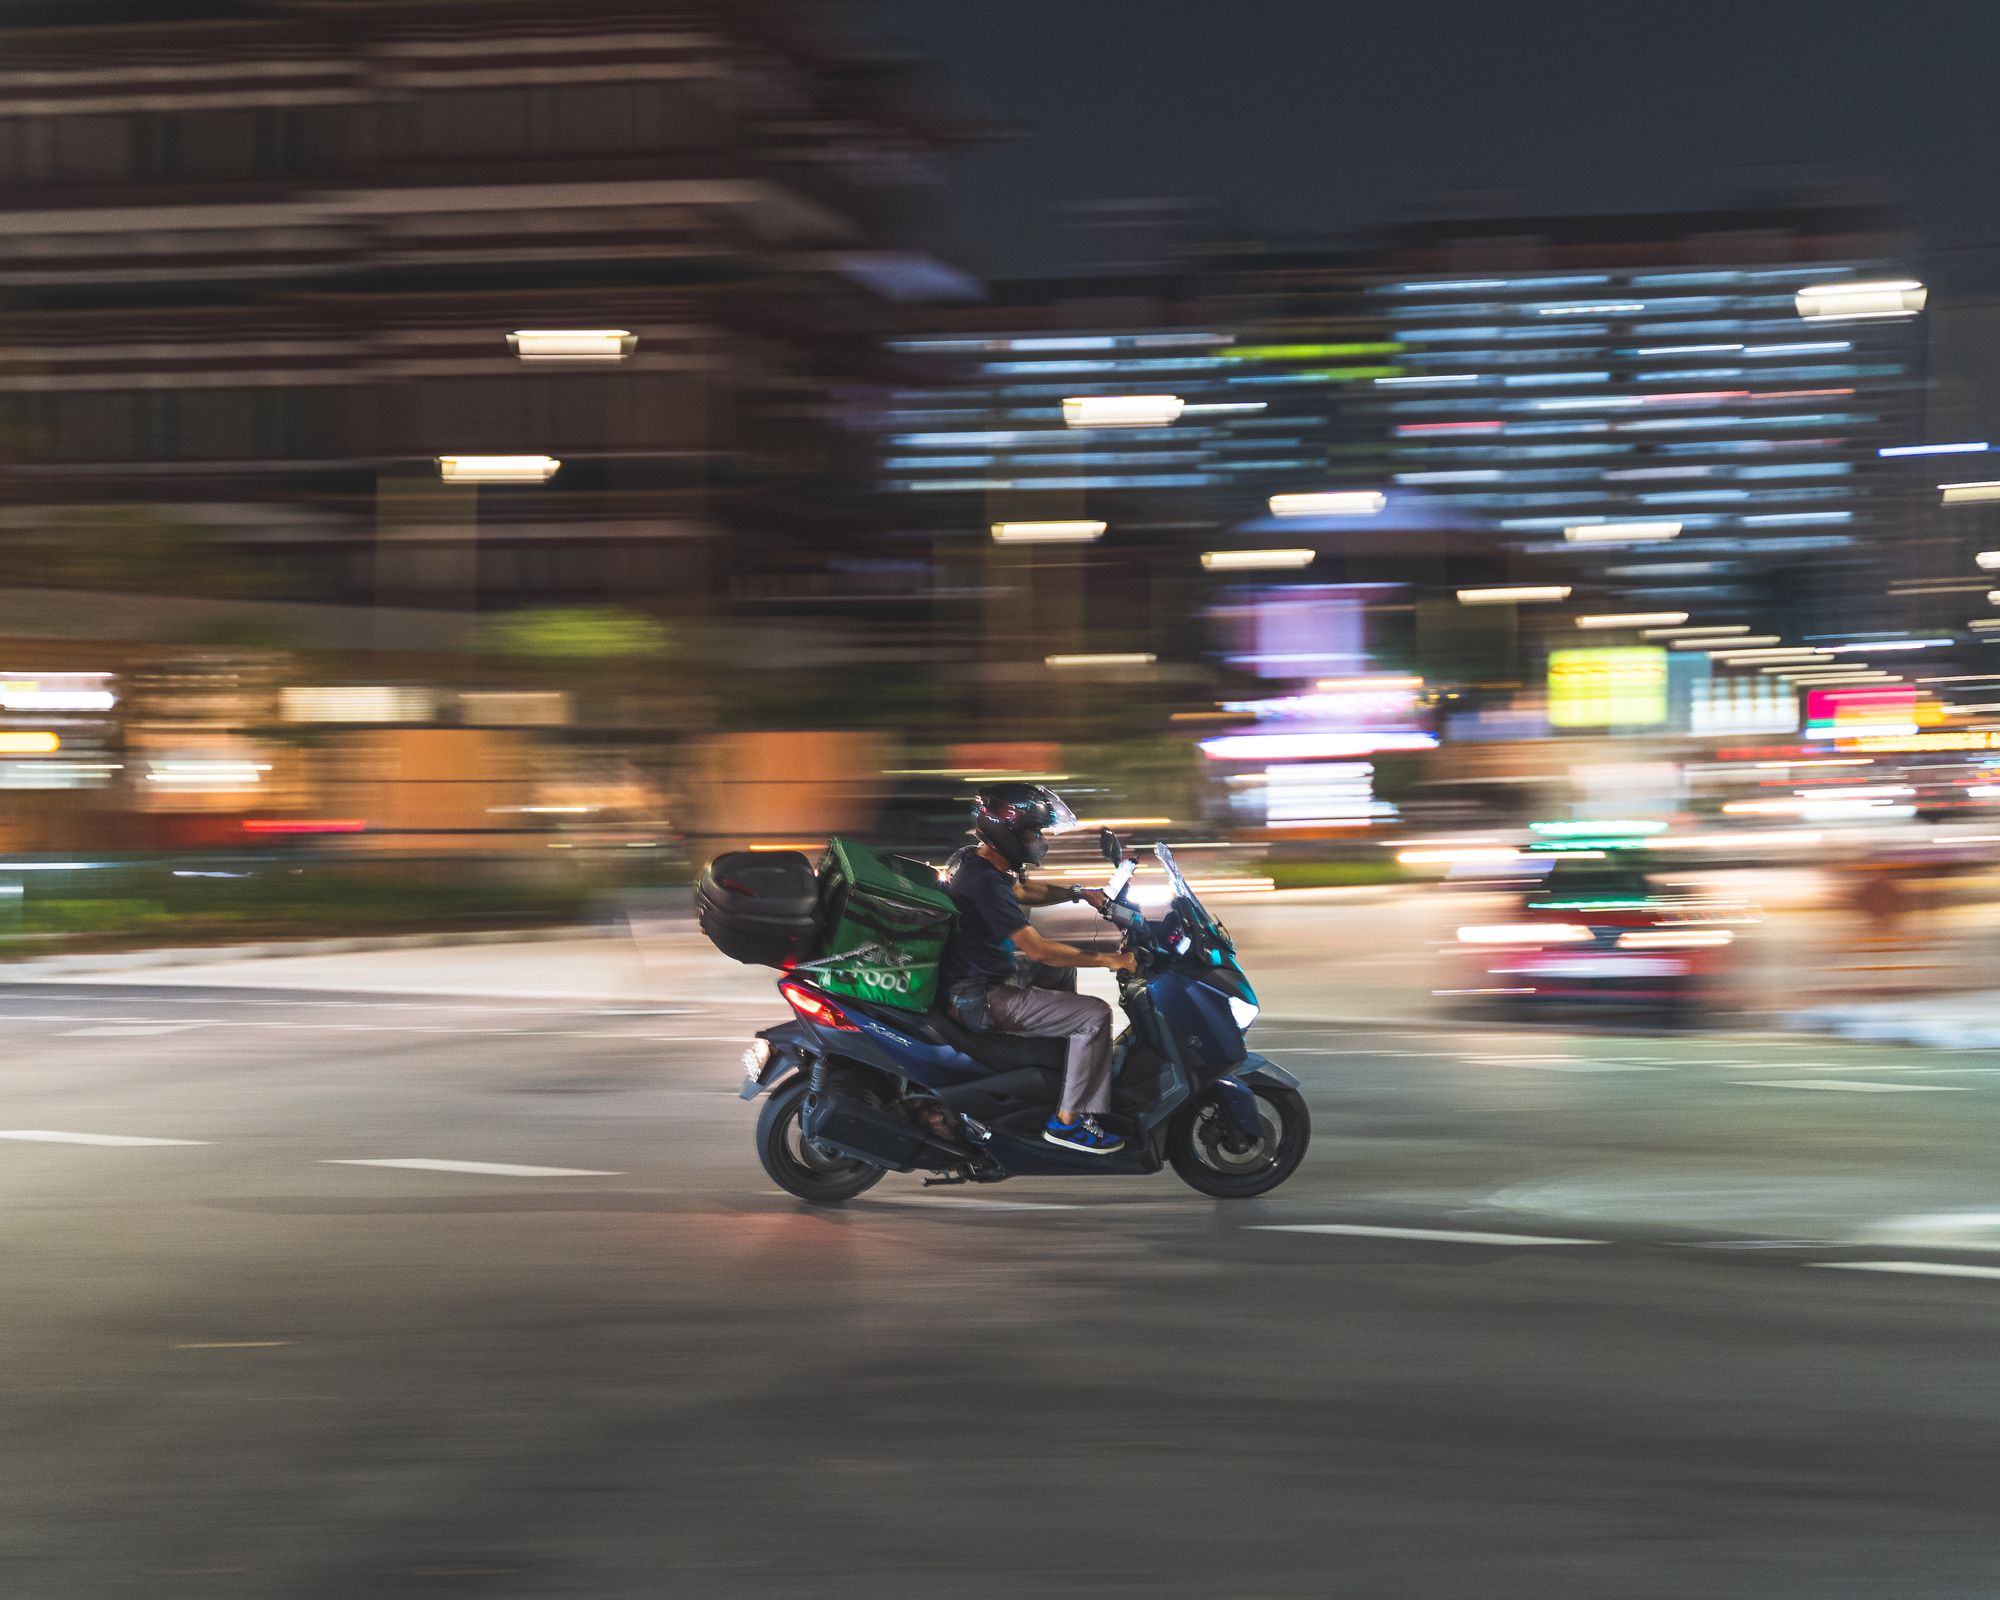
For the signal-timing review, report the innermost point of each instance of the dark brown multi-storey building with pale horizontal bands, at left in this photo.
(259, 265)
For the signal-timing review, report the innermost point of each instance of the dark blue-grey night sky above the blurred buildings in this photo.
(1313, 117)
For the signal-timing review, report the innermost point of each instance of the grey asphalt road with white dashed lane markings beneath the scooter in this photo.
(1639, 1363)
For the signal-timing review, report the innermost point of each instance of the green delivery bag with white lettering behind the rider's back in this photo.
(887, 921)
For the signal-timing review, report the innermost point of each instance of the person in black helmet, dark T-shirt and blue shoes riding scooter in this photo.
(991, 889)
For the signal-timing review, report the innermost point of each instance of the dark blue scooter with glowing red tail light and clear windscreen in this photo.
(859, 1091)
